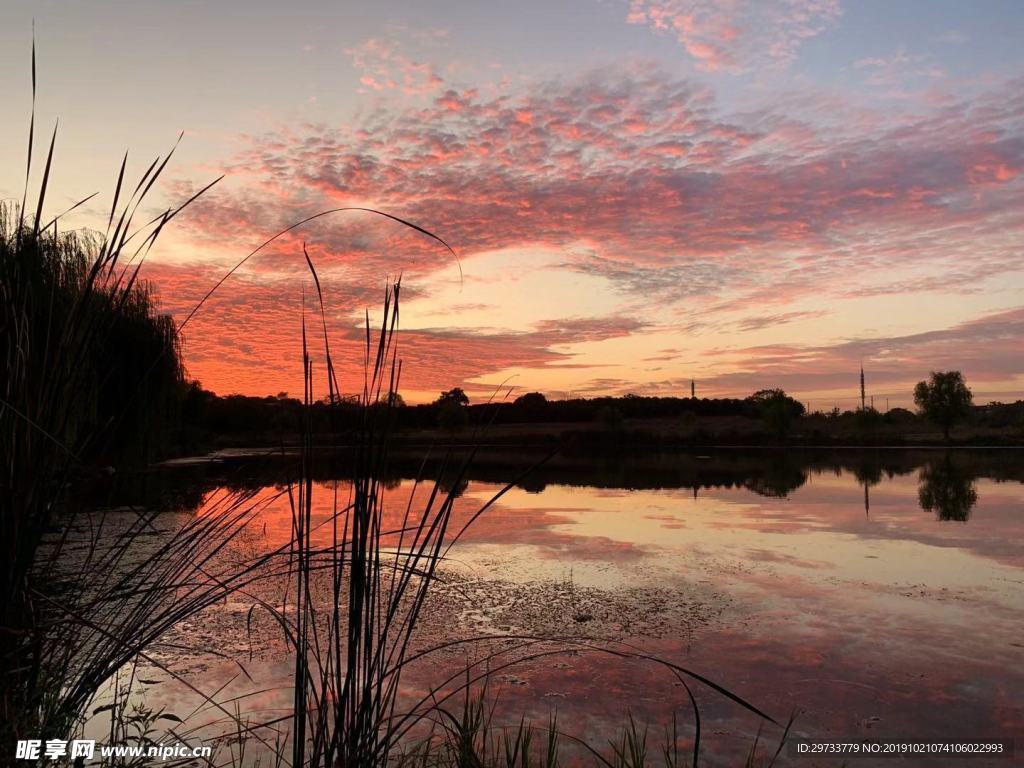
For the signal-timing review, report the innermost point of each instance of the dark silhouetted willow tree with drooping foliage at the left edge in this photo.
(124, 357)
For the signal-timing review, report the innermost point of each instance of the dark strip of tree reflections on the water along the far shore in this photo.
(767, 473)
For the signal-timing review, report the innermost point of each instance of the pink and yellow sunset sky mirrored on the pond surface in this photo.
(887, 625)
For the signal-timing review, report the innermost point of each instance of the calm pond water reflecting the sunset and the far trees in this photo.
(879, 595)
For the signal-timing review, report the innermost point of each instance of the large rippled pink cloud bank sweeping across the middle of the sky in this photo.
(638, 179)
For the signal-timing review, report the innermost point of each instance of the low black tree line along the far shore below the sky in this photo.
(944, 400)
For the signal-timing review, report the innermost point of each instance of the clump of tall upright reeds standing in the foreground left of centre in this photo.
(351, 657)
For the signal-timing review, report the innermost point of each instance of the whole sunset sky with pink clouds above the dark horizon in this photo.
(639, 193)
